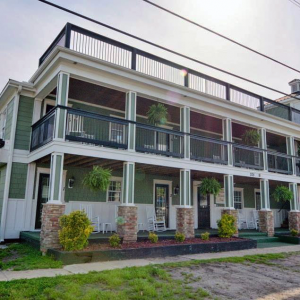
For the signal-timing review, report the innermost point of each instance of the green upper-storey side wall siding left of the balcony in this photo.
(24, 121)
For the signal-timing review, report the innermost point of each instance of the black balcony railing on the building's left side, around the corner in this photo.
(43, 130)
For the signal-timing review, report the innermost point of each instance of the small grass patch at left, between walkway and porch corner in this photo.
(24, 257)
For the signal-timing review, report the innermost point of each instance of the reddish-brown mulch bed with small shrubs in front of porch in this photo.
(160, 243)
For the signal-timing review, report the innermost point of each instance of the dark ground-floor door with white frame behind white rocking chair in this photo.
(162, 202)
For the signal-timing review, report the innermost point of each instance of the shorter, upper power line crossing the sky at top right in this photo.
(222, 36)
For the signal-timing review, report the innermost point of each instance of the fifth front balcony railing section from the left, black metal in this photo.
(280, 163)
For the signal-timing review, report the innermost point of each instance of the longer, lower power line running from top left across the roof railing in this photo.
(164, 48)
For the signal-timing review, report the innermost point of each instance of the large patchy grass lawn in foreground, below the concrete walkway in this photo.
(150, 282)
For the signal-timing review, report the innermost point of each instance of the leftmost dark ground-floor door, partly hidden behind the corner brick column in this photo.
(42, 198)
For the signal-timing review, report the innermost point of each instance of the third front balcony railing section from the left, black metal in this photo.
(209, 150)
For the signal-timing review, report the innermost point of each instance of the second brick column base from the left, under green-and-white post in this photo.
(128, 230)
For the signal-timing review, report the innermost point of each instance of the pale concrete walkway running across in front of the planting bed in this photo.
(101, 266)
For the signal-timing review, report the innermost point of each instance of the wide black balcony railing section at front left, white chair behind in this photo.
(94, 129)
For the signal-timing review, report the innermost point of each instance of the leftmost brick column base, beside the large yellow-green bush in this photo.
(50, 226)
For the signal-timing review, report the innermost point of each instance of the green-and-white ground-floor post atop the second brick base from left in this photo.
(128, 183)
